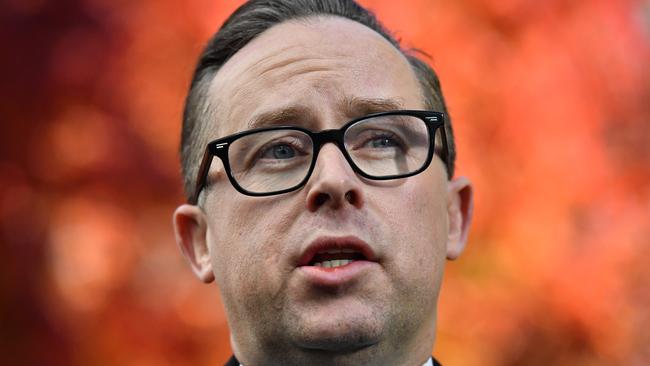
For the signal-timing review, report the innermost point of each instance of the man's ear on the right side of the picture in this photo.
(460, 204)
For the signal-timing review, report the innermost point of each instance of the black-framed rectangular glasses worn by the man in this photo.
(379, 146)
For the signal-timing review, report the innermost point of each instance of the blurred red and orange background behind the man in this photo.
(551, 106)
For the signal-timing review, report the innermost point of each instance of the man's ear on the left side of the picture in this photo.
(190, 229)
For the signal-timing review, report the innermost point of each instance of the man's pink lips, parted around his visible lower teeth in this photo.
(337, 276)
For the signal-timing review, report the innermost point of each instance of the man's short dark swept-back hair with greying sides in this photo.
(248, 22)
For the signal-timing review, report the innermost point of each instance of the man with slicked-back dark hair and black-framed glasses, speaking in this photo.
(318, 166)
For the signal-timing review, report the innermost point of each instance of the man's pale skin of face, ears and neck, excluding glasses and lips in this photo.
(319, 73)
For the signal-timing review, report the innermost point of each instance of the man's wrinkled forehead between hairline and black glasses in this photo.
(316, 65)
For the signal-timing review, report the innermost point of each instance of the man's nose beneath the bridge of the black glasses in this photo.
(333, 183)
